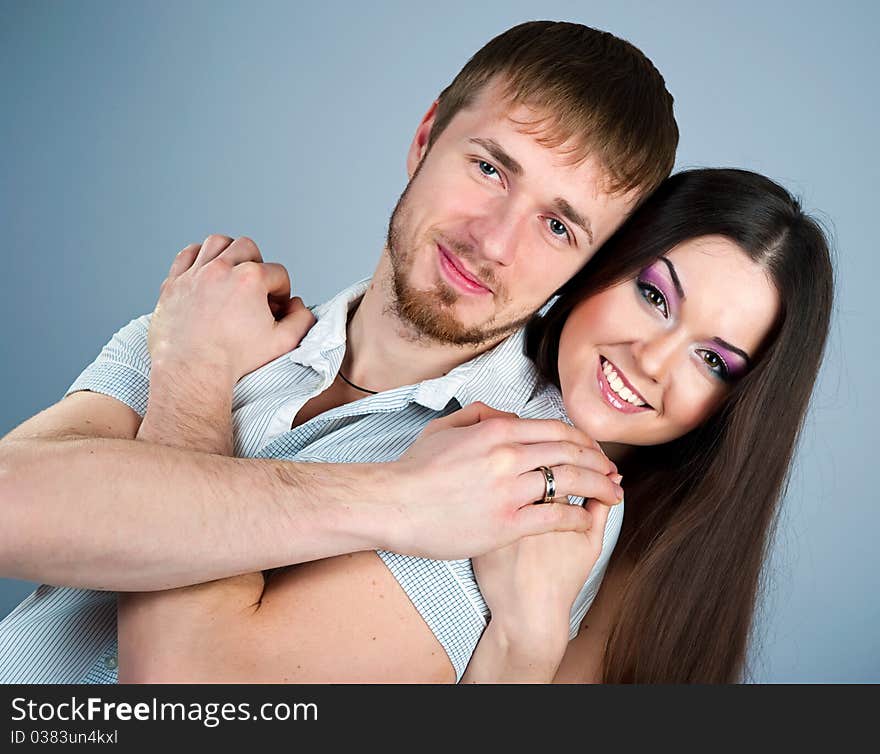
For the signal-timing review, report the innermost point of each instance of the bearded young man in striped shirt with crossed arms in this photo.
(527, 162)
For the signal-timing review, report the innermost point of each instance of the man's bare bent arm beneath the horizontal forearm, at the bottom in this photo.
(343, 619)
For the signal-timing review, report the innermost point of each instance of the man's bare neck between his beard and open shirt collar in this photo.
(383, 352)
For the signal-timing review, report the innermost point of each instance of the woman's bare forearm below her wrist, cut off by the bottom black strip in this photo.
(502, 657)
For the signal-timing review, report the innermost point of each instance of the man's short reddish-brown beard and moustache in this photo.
(429, 313)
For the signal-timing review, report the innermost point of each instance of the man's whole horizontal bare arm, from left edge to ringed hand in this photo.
(81, 505)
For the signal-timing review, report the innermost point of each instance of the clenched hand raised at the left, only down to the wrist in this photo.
(224, 312)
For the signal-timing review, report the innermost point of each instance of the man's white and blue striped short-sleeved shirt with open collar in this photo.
(66, 635)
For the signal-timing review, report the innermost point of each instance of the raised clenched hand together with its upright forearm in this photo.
(222, 313)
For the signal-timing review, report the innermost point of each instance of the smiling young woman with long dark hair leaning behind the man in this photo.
(688, 348)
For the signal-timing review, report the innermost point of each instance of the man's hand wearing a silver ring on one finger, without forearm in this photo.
(471, 478)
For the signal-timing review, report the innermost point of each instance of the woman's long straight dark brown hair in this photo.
(700, 510)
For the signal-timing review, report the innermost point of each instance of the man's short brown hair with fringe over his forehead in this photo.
(589, 86)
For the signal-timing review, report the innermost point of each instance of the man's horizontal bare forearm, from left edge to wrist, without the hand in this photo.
(130, 515)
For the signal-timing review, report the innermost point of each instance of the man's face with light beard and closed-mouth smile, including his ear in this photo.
(491, 224)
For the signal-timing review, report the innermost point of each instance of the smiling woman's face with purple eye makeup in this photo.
(650, 359)
